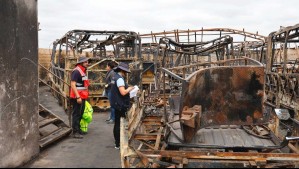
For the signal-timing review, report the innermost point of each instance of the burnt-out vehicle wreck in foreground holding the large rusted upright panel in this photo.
(207, 109)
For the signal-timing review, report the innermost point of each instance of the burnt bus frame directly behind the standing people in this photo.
(101, 47)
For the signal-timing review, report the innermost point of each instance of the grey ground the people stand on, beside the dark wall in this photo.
(95, 150)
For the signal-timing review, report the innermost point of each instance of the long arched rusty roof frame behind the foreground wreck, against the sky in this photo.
(244, 43)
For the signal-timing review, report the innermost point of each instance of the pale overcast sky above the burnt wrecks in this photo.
(57, 17)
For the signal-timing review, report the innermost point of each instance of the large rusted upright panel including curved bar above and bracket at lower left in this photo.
(229, 92)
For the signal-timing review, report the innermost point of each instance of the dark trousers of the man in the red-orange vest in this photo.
(77, 113)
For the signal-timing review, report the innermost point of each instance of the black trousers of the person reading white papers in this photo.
(116, 129)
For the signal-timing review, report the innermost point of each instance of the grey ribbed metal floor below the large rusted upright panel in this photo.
(227, 137)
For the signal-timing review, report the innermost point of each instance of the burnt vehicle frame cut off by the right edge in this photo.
(282, 81)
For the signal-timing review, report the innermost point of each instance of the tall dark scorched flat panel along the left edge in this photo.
(19, 82)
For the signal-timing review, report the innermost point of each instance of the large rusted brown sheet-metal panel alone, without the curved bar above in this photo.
(228, 95)
